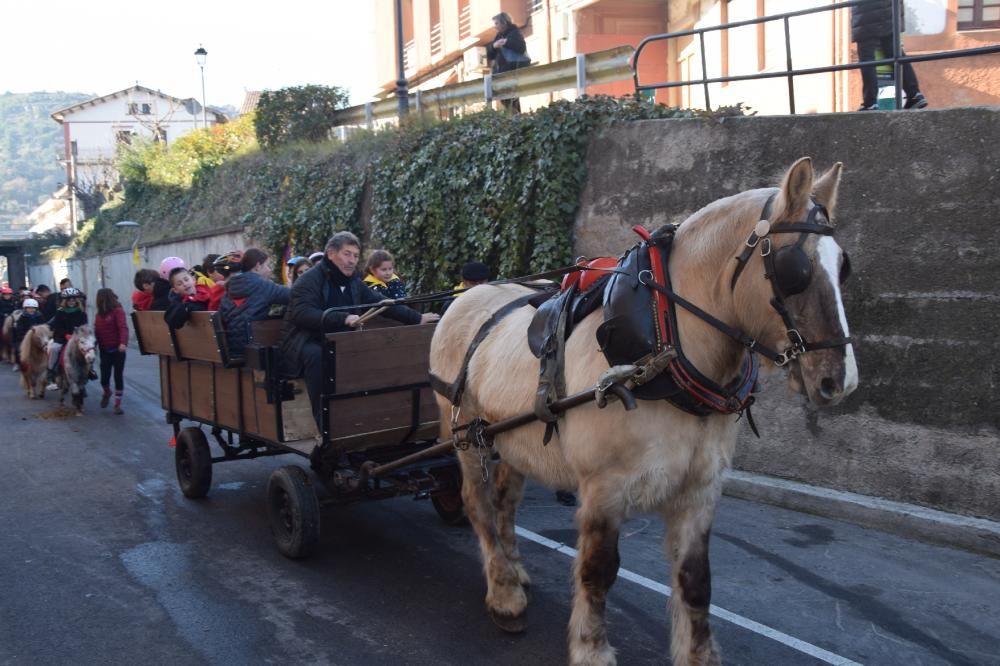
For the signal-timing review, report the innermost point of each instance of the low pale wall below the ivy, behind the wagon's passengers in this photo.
(118, 268)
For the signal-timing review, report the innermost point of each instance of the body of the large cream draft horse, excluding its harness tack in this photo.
(655, 458)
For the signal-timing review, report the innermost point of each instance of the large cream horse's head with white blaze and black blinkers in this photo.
(798, 309)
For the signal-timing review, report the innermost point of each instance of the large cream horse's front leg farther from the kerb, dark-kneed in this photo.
(598, 521)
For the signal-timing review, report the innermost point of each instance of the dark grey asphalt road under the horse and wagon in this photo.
(103, 561)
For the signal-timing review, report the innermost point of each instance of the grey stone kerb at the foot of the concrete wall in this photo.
(974, 534)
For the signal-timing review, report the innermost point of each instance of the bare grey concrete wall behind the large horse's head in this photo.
(918, 215)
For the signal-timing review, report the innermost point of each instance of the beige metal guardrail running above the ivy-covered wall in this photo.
(578, 72)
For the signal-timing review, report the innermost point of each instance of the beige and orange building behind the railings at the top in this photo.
(444, 42)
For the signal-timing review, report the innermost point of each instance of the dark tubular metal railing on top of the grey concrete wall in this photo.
(897, 60)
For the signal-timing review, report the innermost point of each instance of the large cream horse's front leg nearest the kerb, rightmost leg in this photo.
(689, 524)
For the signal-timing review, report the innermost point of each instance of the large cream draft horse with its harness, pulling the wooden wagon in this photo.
(750, 281)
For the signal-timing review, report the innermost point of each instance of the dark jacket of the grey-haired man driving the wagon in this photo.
(306, 317)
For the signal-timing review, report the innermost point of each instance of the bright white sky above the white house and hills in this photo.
(101, 46)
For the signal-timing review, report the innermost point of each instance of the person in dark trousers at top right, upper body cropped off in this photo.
(871, 29)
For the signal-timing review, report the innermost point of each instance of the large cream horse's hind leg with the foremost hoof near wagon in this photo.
(506, 600)
